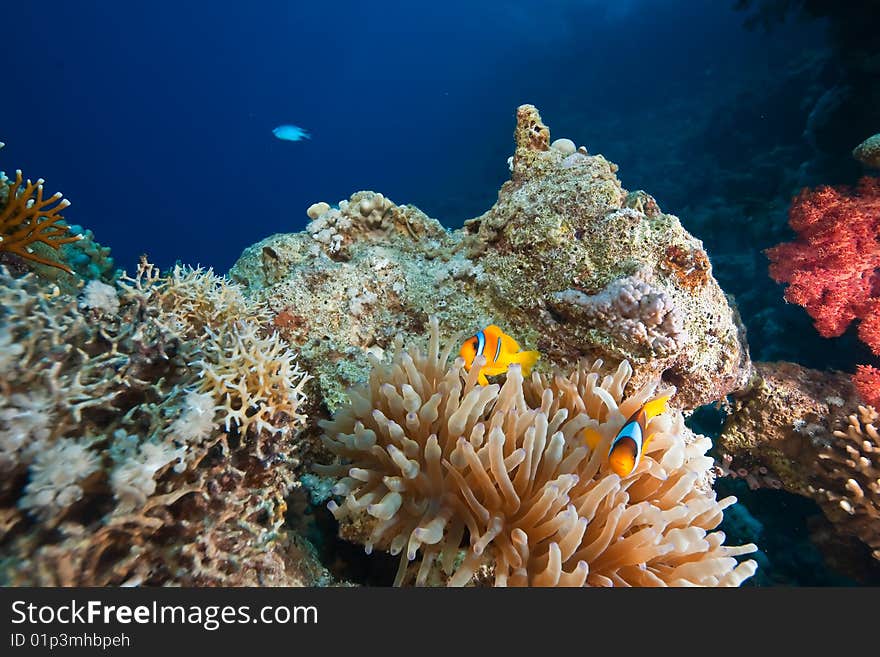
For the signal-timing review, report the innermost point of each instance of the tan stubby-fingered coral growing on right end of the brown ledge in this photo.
(849, 472)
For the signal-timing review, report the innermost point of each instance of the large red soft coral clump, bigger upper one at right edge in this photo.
(833, 269)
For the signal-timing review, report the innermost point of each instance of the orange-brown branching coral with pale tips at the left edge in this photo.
(27, 218)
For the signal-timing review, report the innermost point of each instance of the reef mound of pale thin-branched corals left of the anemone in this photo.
(147, 435)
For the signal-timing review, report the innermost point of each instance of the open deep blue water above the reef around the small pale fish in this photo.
(155, 118)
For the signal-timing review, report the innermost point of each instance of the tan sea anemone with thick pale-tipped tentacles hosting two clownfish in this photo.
(496, 483)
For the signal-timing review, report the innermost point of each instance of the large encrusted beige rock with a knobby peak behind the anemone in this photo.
(563, 231)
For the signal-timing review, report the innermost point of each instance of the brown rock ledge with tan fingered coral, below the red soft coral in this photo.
(803, 430)
